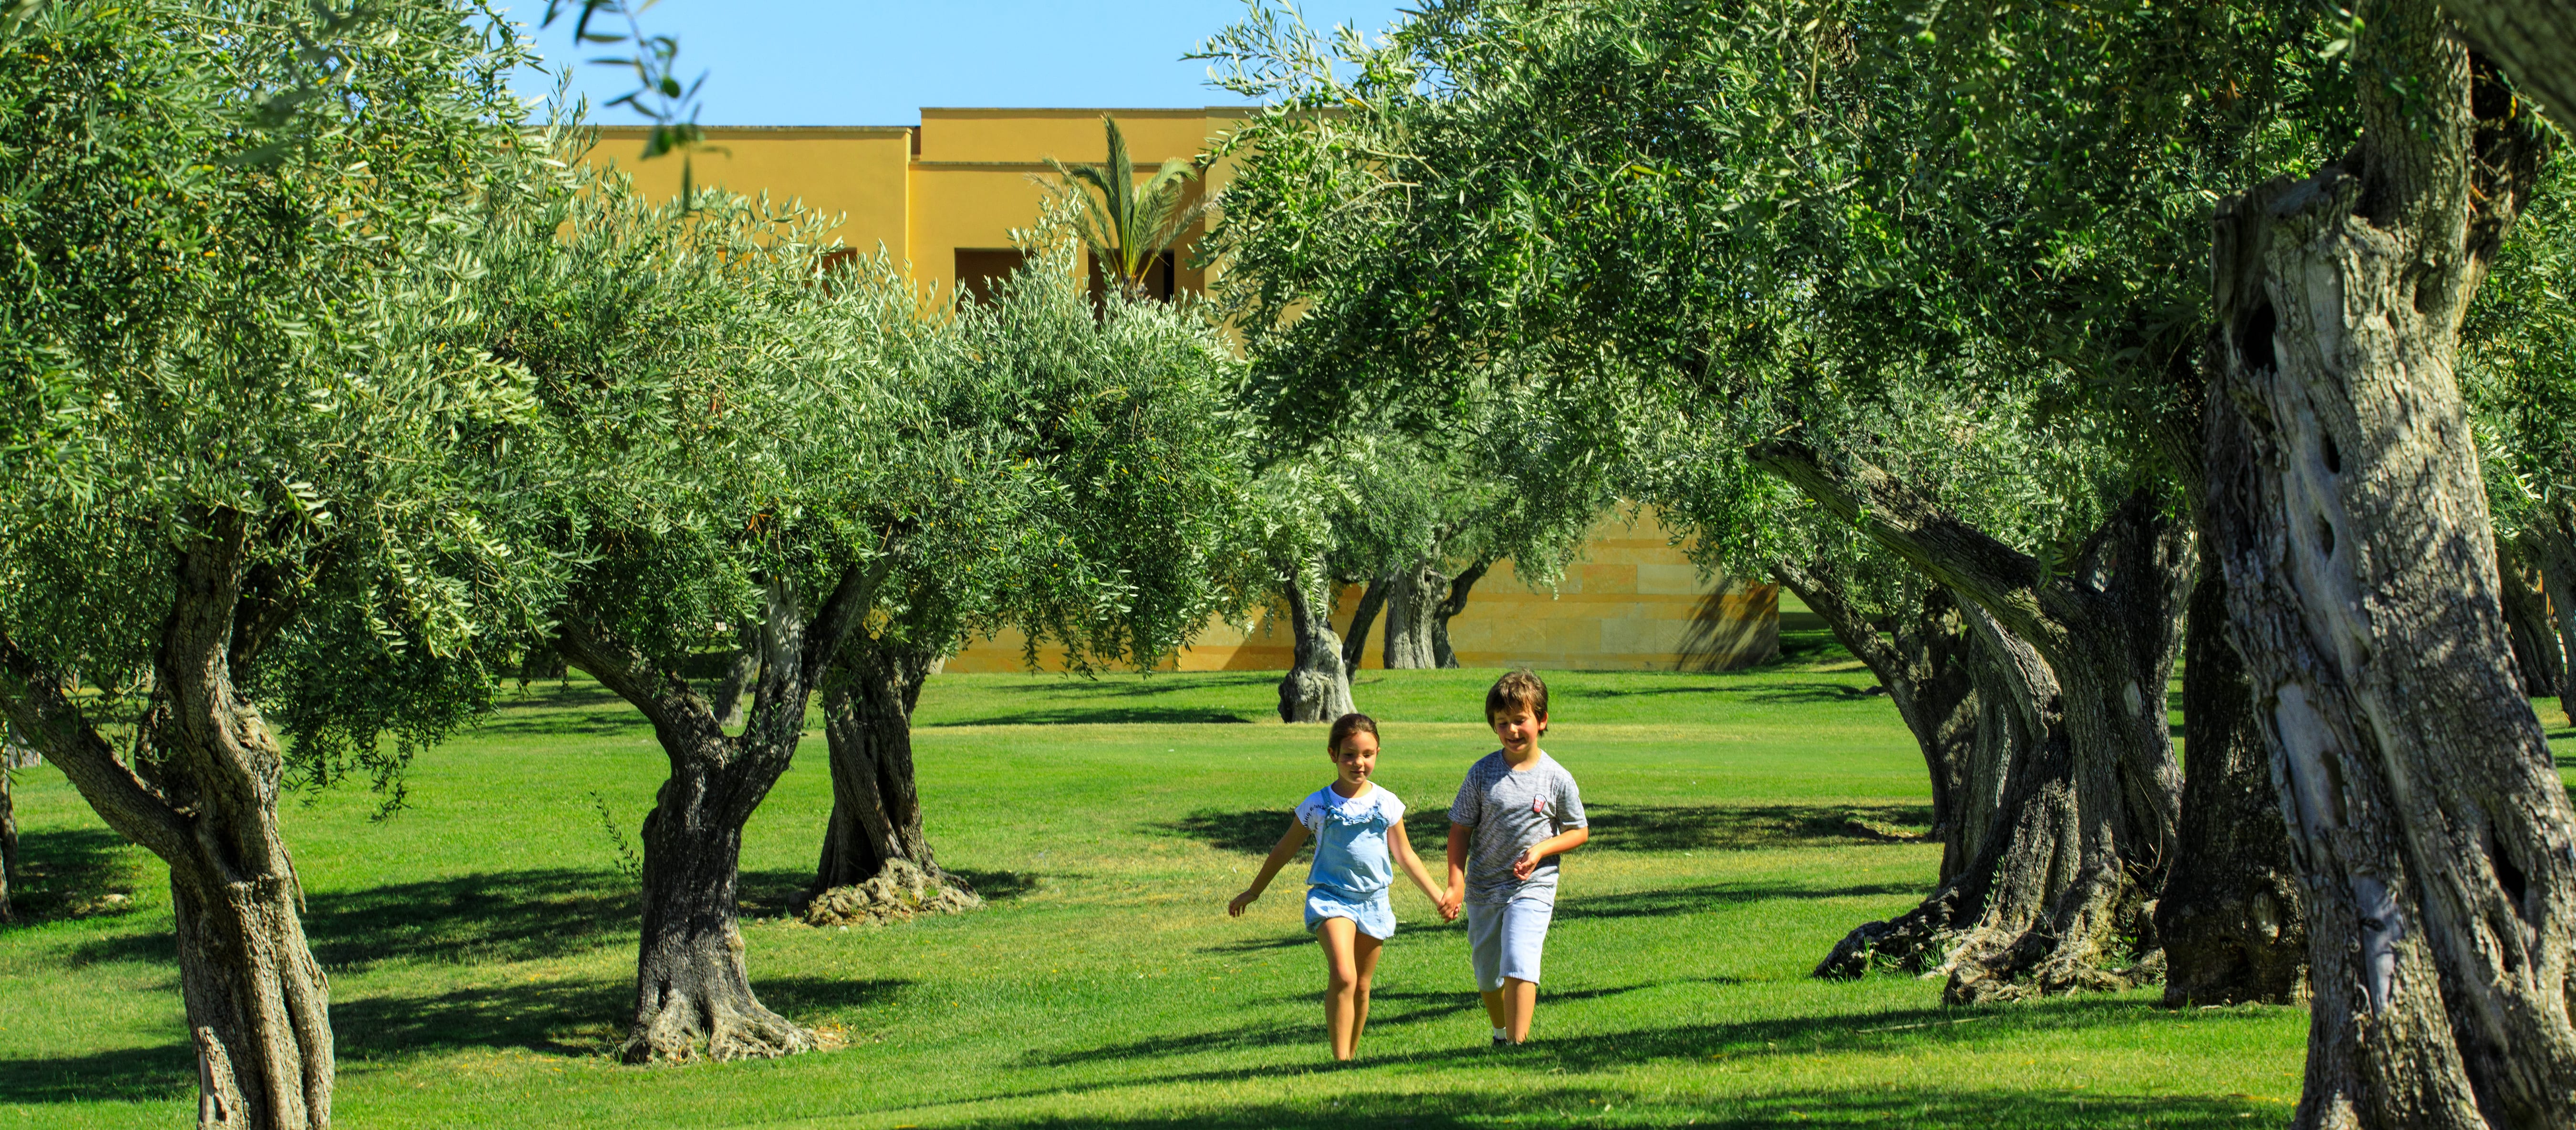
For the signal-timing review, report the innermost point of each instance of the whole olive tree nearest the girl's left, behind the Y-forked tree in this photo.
(1109, 526)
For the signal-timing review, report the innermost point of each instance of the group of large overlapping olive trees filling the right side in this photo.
(2039, 346)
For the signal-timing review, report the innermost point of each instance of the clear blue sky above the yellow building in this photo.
(875, 63)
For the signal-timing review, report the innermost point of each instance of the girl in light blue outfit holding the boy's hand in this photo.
(1346, 889)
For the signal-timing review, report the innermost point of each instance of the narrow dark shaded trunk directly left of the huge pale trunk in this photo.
(2232, 920)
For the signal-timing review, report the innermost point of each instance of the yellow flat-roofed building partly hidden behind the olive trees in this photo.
(947, 194)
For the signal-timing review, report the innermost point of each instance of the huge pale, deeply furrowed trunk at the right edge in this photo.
(2351, 519)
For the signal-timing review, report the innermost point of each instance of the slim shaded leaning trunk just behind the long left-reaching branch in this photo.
(1923, 658)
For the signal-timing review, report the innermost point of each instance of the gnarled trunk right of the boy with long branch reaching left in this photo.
(2108, 640)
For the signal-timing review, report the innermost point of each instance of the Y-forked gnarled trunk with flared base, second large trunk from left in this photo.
(692, 985)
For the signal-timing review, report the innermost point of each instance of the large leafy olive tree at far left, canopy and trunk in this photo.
(243, 439)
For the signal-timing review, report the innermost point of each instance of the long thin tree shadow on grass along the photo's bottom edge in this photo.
(1614, 1106)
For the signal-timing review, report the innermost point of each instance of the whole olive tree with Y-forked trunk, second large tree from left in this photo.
(702, 444)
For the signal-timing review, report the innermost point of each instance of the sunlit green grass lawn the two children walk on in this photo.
(483, 943)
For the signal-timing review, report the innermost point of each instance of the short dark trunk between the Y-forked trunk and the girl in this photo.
(877, 810)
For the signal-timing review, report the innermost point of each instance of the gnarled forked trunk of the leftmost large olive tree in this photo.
(207, 804)
